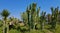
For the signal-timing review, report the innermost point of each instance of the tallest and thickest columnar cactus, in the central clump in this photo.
(33, 14)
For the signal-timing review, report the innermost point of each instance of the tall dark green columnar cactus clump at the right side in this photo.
(54, 17)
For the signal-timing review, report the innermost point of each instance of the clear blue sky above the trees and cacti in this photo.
(16, 7)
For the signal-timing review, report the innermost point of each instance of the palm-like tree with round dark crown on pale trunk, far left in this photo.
(5, 13)
